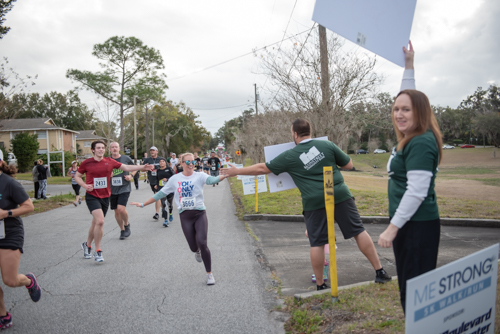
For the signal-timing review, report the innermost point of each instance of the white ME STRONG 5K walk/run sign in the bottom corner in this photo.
(456, 298)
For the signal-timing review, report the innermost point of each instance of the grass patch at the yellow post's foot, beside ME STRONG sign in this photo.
(371, 308)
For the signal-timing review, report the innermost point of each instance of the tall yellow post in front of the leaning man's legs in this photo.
(330, 216)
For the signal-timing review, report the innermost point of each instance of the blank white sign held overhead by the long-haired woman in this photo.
(381, 26)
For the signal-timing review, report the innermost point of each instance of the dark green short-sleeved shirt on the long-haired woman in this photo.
(421, 153)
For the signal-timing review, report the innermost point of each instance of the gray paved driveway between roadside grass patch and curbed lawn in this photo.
(285, 248)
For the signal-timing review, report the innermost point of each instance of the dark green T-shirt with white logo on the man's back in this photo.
(305, 164)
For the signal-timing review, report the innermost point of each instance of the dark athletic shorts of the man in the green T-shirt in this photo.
(346, 216)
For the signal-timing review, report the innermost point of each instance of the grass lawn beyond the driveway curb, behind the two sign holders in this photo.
(460, 187)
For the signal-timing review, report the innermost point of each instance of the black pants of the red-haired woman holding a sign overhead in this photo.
(415, 249)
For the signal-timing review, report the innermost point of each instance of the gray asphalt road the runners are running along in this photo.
(148, 283)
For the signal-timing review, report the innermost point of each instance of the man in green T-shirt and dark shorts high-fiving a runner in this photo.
(305, 164)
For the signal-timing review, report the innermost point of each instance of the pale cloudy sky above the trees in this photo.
(456, 43)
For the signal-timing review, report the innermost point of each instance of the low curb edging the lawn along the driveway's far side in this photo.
(381, 220)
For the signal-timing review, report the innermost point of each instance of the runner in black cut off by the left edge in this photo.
(14, 202)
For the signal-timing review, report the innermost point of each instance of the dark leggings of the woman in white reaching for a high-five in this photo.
(195, 227)
